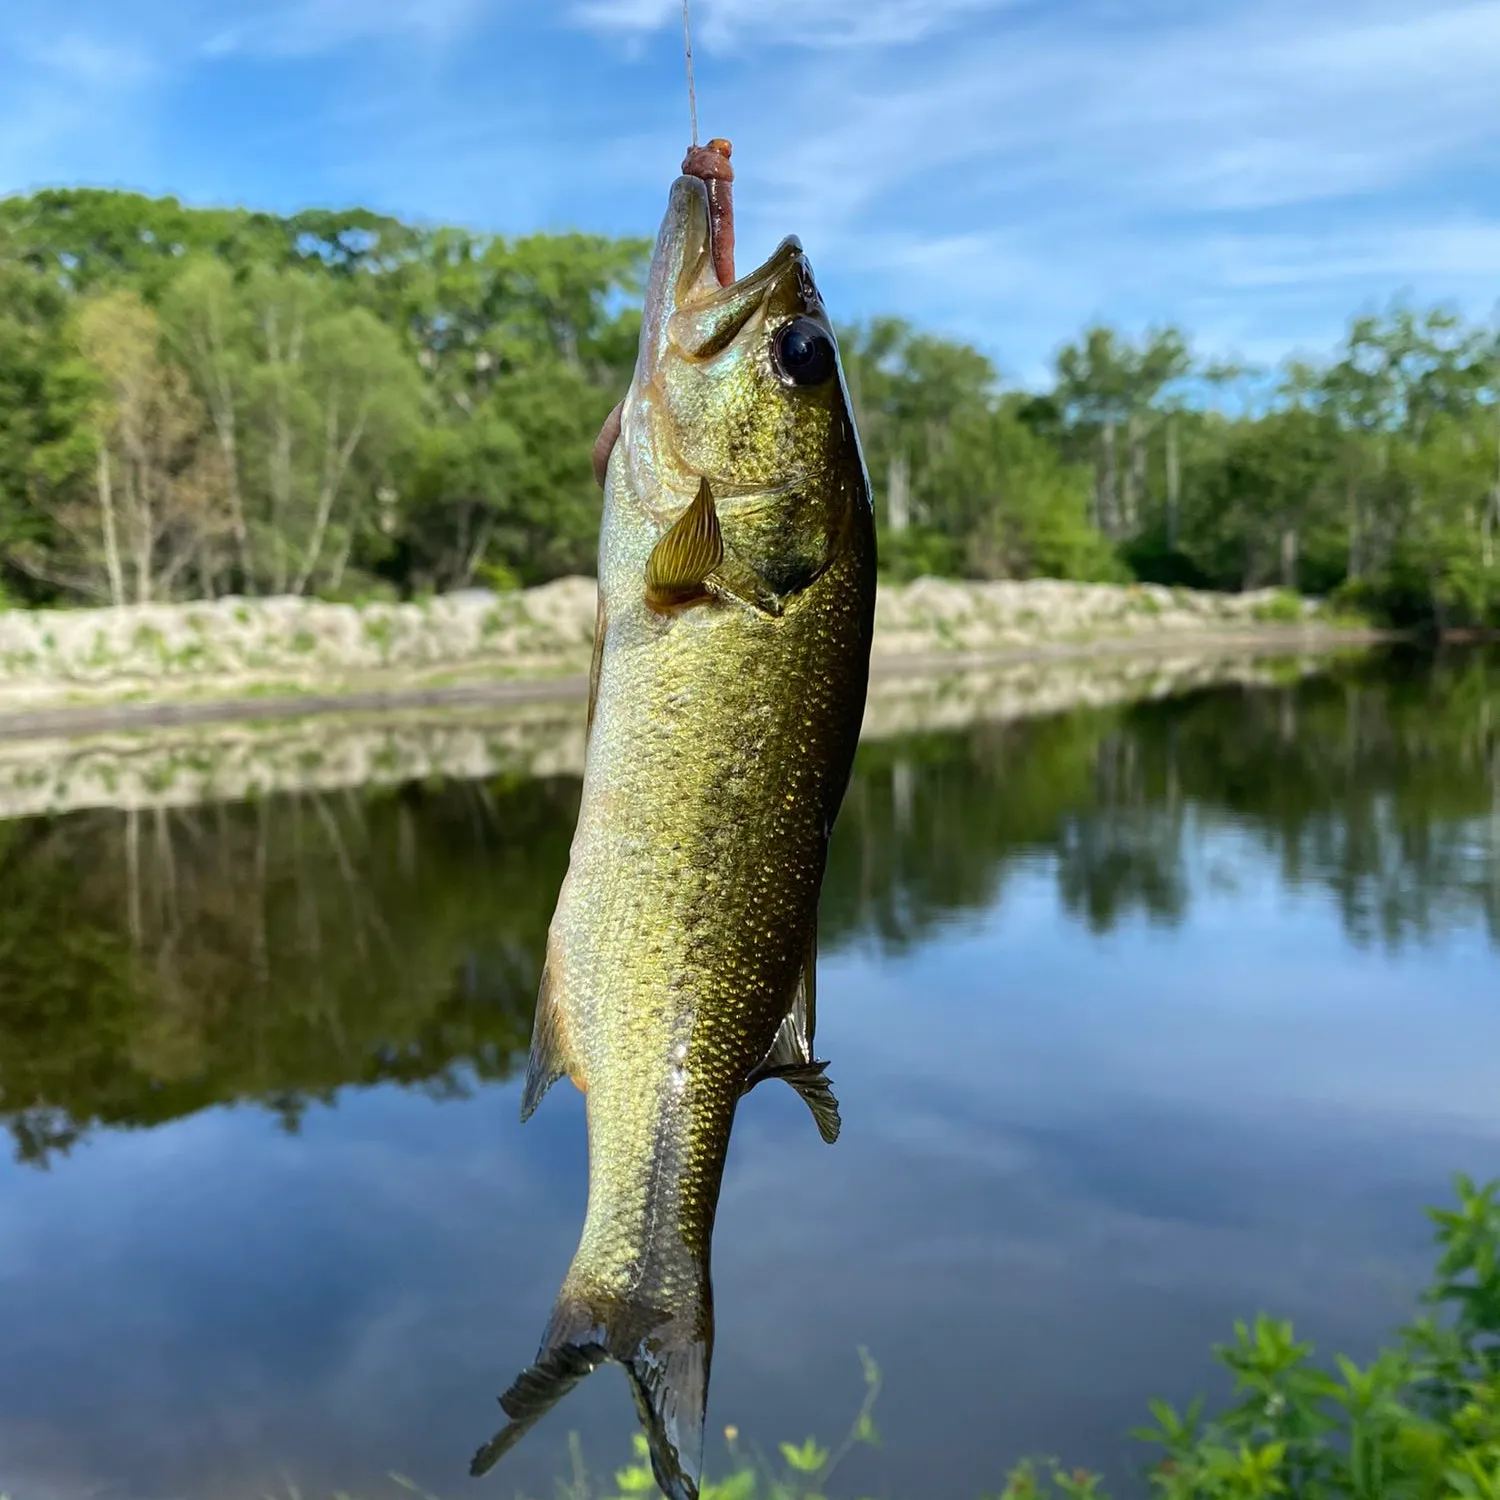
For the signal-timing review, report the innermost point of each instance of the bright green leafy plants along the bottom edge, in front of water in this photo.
(1421, 1420)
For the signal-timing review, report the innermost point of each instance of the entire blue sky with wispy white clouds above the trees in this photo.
(998, 170)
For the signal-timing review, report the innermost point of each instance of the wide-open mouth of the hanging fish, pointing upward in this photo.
(685, 305)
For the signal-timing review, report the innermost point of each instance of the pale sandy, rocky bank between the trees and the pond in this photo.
(236, 649)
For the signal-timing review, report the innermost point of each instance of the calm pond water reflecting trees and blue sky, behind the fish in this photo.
(1142, 1021)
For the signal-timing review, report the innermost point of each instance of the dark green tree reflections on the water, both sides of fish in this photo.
(157, 964)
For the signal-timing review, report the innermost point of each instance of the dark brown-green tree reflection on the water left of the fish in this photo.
(160, 964)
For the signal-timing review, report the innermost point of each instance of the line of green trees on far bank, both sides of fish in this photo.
(197, 403)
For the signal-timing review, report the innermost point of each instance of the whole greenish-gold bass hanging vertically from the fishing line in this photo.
(737, 581)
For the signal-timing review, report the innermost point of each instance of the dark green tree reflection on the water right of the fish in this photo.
(1379, 782)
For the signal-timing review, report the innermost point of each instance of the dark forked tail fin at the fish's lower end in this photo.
(667, 1358)
